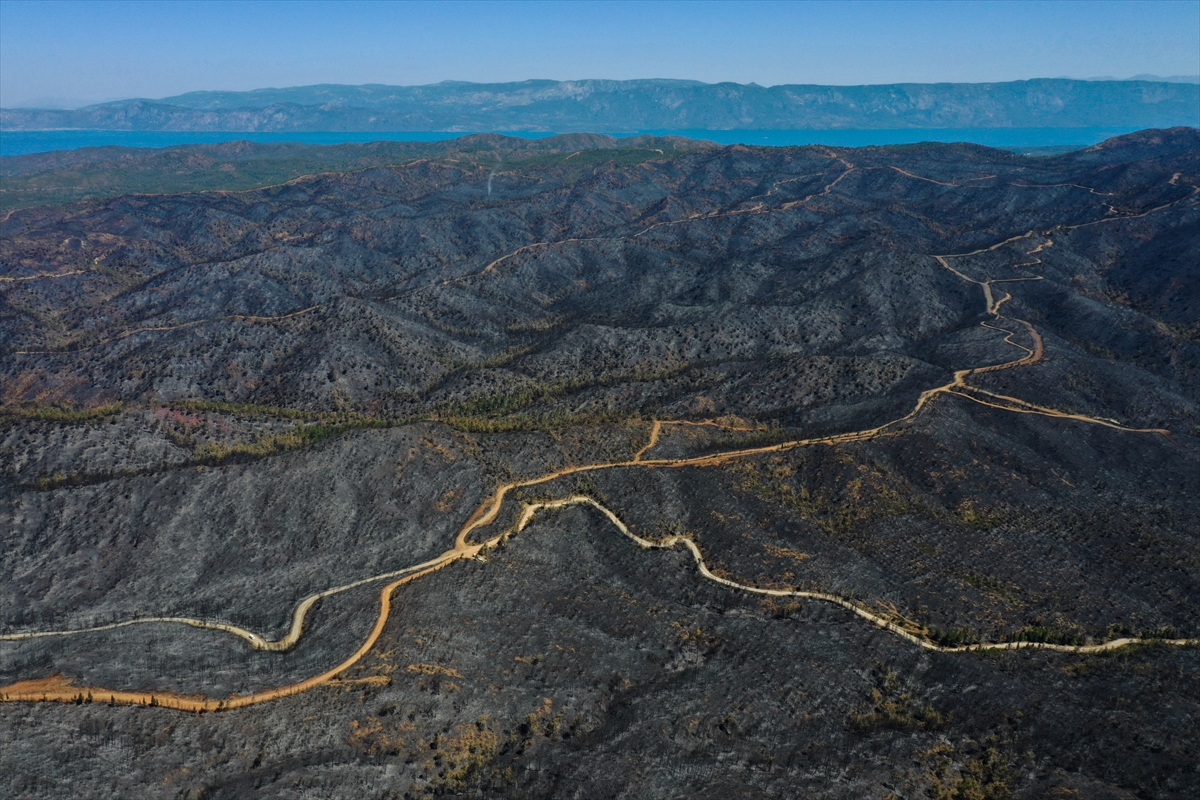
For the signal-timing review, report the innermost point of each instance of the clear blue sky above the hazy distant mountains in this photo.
(73, 53)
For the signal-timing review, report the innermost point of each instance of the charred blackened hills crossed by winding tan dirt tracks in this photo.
(219, 404)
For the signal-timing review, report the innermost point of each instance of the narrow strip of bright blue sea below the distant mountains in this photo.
(15, 143)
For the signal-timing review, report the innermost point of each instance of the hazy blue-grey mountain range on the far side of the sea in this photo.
(625, 106)
